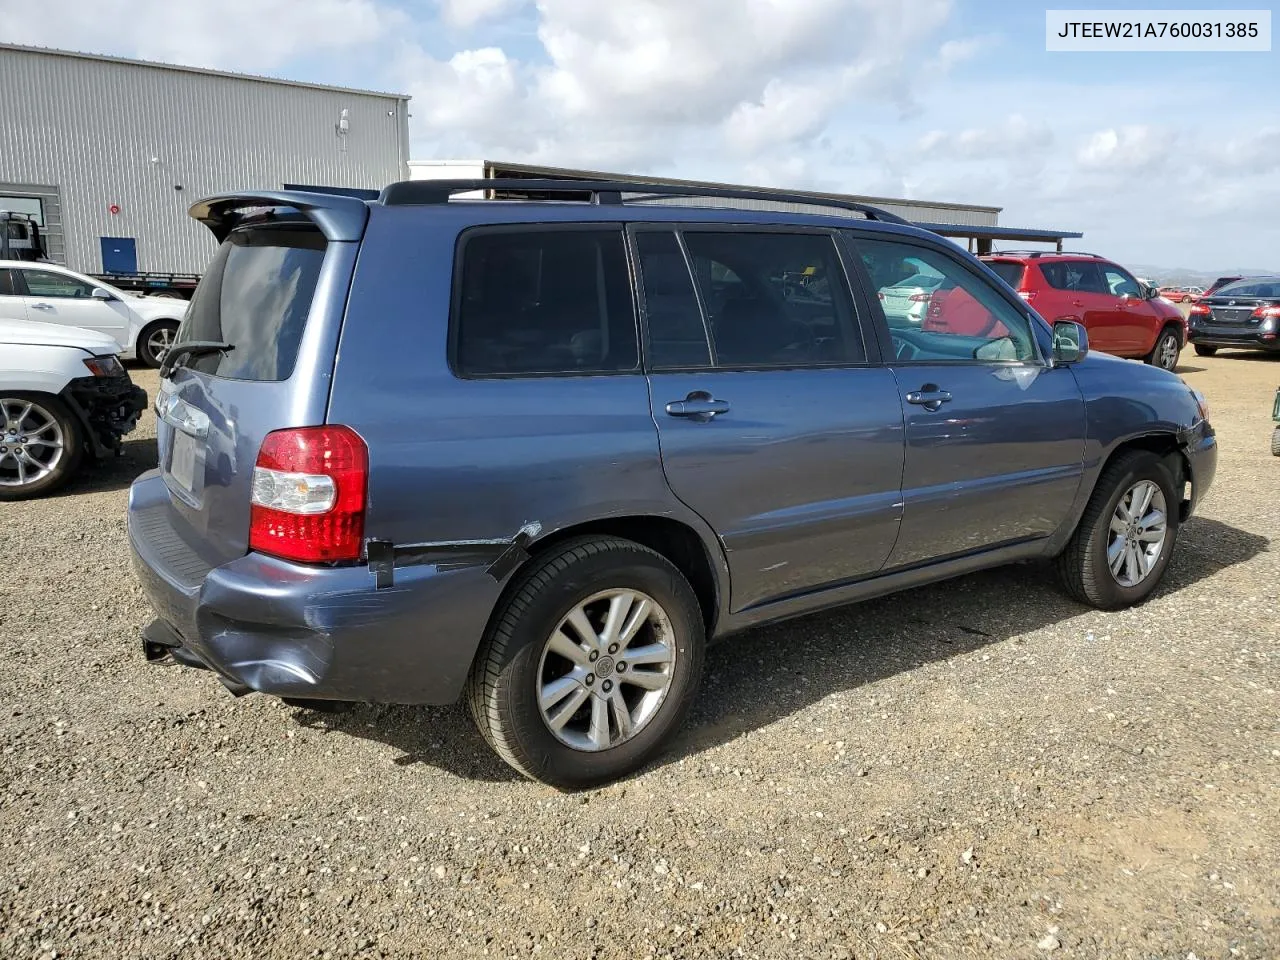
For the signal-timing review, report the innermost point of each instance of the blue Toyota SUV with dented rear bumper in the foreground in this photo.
(546, 502)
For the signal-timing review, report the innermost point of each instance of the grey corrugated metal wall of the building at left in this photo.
(106, 132)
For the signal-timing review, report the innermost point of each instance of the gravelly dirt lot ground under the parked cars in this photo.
(981, 769)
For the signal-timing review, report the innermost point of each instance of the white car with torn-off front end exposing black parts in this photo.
(65, 396)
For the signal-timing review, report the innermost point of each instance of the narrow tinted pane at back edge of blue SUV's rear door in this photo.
(678, 337)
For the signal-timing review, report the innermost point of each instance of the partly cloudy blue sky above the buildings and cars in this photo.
(1167, 159)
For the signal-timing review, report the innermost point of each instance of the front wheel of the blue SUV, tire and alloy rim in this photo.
(1124, 541)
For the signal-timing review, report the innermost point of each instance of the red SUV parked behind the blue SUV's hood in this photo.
(1122, 317)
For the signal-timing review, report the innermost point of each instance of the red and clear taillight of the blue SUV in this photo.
(310, 486)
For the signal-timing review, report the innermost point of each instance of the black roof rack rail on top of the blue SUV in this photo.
(414, 193)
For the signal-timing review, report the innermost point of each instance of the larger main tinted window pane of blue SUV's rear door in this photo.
(775, 299)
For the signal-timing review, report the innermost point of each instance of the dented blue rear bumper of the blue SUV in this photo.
(309, 633)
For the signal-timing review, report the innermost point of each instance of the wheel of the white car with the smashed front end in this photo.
(47, 420)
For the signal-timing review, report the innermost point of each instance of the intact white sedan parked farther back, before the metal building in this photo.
(141, 327)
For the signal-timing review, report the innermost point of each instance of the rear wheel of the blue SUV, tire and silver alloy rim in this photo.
(592, 665)
